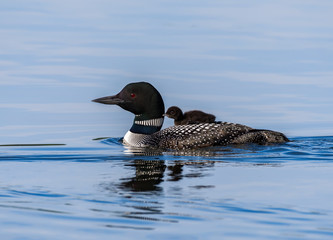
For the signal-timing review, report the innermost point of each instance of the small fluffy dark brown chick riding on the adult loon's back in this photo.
(190, 117)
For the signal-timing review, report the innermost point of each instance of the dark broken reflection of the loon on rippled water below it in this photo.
(145, 189)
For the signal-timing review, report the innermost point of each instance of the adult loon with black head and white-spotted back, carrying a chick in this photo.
(146, 103)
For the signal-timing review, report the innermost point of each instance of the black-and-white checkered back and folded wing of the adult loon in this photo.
(211, 134)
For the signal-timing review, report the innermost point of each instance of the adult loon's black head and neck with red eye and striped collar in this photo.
(142, 99)
